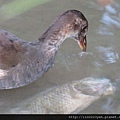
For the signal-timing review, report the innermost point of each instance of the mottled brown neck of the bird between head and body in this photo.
(54, 36)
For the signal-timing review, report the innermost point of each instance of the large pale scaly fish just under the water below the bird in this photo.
(71, 97)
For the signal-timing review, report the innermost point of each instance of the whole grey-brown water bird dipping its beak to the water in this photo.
(22, 62)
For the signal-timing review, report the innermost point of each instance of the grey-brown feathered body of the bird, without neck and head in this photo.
(19, 66)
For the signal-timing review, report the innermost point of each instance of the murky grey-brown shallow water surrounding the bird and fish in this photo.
(100, 60)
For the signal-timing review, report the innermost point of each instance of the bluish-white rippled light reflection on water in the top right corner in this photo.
(110, 19)
